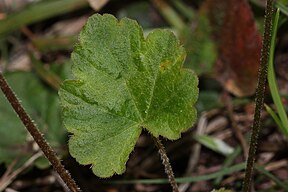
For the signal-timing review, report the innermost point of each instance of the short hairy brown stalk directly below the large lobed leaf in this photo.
(165, 162)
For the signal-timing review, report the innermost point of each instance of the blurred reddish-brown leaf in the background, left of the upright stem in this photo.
(239, 45)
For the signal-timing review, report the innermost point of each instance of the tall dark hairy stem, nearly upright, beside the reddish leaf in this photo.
(259, 95)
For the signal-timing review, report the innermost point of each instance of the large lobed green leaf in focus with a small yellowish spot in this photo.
(124, 83)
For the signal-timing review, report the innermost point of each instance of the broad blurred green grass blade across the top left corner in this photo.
(37, 12)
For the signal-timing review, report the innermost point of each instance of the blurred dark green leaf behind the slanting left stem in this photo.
(41, 104)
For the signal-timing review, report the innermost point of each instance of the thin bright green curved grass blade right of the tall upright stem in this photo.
(272, 79)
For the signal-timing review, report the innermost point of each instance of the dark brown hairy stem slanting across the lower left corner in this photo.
(39, 139)
